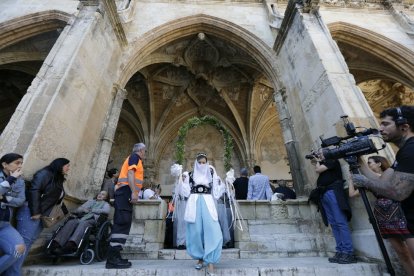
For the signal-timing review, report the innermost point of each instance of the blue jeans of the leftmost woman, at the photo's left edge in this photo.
(9, 239)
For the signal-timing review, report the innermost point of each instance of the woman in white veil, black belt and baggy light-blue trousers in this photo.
(203, 234)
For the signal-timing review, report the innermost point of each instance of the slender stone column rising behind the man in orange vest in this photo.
(108, 136)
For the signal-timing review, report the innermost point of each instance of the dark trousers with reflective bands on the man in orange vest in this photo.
(122, 217)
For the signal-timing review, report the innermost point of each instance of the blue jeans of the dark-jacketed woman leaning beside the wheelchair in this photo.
(30, 230)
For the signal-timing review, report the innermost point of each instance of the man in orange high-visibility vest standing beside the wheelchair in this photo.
(131, 178)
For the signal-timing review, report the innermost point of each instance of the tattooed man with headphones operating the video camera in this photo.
(397, 182)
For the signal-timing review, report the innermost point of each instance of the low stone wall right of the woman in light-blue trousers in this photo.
(281, 229)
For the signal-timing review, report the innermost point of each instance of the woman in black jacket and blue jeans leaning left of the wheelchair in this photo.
(45, 192)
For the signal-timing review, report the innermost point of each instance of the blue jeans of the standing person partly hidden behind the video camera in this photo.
(339, 224)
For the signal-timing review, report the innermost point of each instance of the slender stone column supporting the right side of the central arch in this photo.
(289, 140)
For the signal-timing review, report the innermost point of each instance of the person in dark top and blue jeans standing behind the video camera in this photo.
(335, 207)
